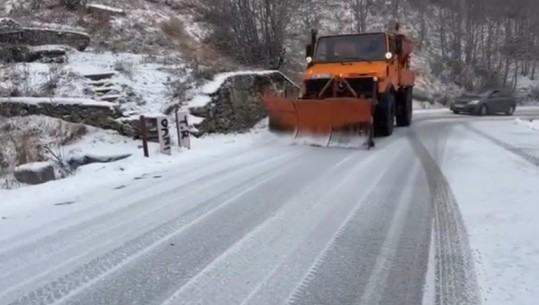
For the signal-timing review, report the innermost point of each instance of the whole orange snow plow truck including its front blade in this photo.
(355, 87)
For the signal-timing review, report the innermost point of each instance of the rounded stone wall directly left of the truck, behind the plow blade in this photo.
(237, 106)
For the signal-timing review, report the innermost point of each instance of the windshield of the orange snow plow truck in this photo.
(351, 48)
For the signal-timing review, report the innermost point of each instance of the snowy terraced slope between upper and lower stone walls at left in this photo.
(141, 81)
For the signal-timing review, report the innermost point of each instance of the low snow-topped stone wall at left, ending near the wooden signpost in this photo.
(102, 116)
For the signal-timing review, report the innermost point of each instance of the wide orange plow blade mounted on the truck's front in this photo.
(331, 120)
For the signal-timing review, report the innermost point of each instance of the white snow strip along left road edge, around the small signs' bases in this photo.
(94, 177)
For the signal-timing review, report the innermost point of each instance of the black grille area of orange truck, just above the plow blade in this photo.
(362, 86)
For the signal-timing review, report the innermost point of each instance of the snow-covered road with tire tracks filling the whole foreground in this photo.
(415, 220)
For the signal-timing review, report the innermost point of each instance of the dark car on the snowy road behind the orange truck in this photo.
(489, 102)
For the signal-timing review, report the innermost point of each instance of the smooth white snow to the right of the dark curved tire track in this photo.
(497, 193)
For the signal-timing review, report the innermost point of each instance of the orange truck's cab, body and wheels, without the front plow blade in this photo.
(374, 65)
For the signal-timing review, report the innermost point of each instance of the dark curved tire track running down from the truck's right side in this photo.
(456, 281)
